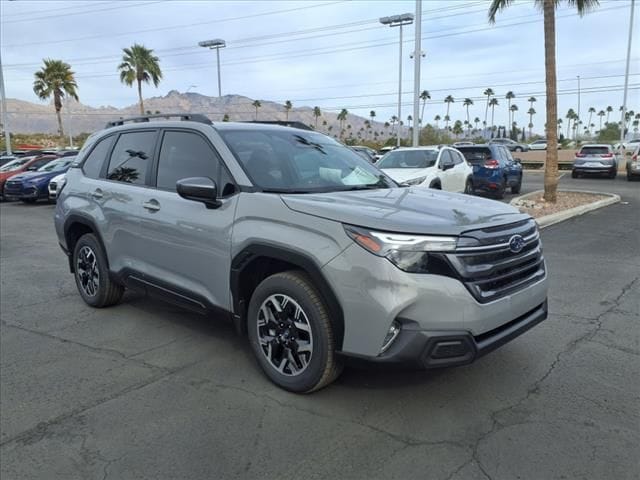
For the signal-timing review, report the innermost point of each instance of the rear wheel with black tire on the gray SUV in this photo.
(89, 251)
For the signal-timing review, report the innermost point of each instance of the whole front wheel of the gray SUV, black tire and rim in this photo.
(322, 366)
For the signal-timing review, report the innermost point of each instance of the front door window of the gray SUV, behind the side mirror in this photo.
(185, 155)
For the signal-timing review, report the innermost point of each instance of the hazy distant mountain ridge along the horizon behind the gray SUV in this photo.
(27, 117)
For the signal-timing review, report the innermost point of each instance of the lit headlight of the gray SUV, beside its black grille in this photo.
(407, 252)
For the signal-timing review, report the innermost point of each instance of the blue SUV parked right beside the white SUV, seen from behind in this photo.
(494, 169)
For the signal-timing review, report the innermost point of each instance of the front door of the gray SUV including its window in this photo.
(188, 246)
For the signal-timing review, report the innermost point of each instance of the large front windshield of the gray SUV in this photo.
(289, 161)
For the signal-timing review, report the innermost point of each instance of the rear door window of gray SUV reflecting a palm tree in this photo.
(132, 157)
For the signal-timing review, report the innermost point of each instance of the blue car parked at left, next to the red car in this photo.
(33, 186)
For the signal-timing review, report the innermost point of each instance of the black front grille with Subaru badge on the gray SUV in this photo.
(490, 270)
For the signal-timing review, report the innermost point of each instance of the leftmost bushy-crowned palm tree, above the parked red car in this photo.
(55, 79)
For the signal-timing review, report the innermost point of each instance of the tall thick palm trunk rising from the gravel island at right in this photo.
(551, 164)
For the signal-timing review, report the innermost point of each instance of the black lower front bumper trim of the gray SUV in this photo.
(422, 349)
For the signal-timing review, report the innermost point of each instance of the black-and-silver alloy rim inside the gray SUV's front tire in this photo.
(284, 334)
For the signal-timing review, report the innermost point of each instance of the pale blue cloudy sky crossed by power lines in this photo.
(333, 54)
